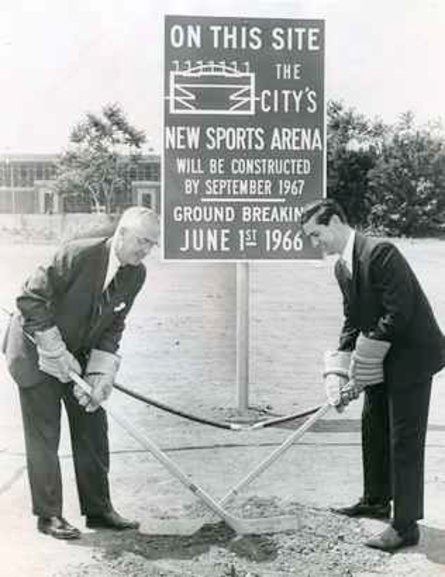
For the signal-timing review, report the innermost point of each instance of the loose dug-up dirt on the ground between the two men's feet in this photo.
(325, 545)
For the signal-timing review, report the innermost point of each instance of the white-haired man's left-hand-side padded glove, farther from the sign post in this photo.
(54, 358)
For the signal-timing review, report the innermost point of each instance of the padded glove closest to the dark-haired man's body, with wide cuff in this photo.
(367, 361)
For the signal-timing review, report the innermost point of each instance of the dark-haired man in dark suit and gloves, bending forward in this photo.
(390, 346)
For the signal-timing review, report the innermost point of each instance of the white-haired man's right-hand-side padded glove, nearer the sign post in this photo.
(100, 374)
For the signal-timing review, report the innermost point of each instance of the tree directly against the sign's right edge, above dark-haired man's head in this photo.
(353, 145)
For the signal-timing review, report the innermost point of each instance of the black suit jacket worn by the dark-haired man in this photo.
(384, 300)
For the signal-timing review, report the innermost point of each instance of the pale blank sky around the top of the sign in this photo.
(62, 58)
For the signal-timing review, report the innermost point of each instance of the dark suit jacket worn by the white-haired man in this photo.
(67, 292)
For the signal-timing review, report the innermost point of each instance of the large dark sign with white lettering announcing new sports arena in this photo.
(244, 138)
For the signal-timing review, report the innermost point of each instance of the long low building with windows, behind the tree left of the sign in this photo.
(26, 185)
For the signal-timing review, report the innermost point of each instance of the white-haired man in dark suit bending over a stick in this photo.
(70, 318)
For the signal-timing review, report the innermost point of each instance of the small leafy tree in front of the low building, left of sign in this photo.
(97, 164)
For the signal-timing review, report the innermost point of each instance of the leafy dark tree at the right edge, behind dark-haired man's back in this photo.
(407, 183)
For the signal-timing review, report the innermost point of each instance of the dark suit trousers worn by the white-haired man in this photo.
(41, 413)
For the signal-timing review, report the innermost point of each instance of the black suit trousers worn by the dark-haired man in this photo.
(394, 424)
